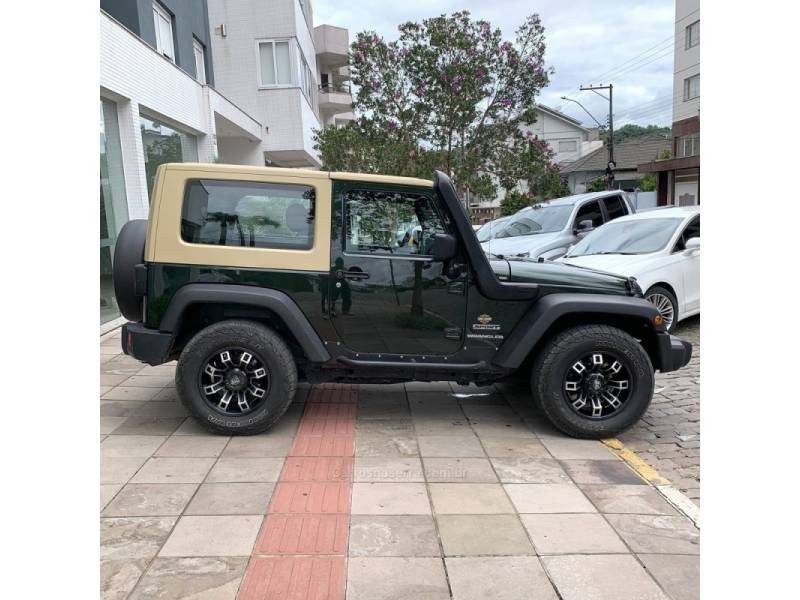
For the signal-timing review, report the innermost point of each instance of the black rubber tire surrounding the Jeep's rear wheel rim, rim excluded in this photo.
(261, 341)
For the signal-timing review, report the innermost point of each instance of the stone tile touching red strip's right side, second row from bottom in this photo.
(393, 535)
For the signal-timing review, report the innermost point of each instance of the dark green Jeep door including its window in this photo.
(385, 292)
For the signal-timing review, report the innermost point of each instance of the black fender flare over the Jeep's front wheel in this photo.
(548, 309)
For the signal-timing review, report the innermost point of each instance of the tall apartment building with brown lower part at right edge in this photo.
(679, 176)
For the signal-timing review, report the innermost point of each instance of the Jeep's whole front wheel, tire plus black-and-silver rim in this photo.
(593, 381)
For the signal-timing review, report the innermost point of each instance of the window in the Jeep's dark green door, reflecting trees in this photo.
(382, 222)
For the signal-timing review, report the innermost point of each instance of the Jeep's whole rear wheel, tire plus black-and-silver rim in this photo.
(236, 377)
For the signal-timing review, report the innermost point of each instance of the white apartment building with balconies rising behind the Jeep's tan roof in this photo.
(270, 59)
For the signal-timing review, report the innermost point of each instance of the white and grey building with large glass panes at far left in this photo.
(157, 104)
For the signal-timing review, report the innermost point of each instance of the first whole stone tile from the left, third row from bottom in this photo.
(150, 499)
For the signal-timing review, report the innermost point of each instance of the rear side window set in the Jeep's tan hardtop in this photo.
(250, 214)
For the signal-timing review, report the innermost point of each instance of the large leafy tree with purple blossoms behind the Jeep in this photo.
(448, 94)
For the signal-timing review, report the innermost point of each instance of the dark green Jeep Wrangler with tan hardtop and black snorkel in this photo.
(254, 278)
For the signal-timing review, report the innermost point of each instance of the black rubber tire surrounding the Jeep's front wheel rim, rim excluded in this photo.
(560, 353)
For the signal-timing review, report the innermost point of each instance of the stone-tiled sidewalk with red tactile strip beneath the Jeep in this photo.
(374, 492)
